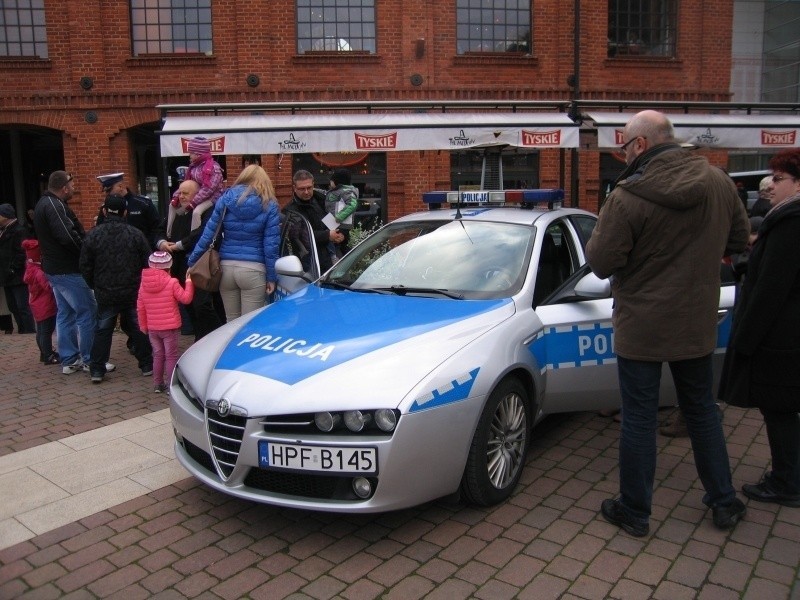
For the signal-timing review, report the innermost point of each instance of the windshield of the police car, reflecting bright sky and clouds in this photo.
(459, 259)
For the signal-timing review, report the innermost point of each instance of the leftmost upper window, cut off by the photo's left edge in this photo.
(22, 29)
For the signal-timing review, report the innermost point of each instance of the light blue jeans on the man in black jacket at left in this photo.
(76, 317)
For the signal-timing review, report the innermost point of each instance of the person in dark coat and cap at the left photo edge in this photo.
(12, 268)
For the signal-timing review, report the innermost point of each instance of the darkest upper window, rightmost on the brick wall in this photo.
(642, 28)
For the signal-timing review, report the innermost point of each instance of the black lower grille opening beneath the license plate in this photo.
(323, 487)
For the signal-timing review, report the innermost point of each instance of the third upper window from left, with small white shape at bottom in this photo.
(335, 26)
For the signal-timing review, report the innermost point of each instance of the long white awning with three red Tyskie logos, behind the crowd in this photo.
(368, 132)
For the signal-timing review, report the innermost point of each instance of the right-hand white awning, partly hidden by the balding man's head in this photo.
(710, 130)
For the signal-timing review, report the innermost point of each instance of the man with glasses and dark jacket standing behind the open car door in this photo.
(310, 203)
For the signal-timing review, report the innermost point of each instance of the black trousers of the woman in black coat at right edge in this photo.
(783, 433)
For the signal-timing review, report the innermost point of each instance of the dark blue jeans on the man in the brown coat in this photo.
(639, 386)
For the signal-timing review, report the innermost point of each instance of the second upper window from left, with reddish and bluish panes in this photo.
(171, 26)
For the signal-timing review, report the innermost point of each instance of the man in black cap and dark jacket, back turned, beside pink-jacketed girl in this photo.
(112, 258)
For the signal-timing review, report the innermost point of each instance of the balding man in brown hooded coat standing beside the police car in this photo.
(662, 234)
